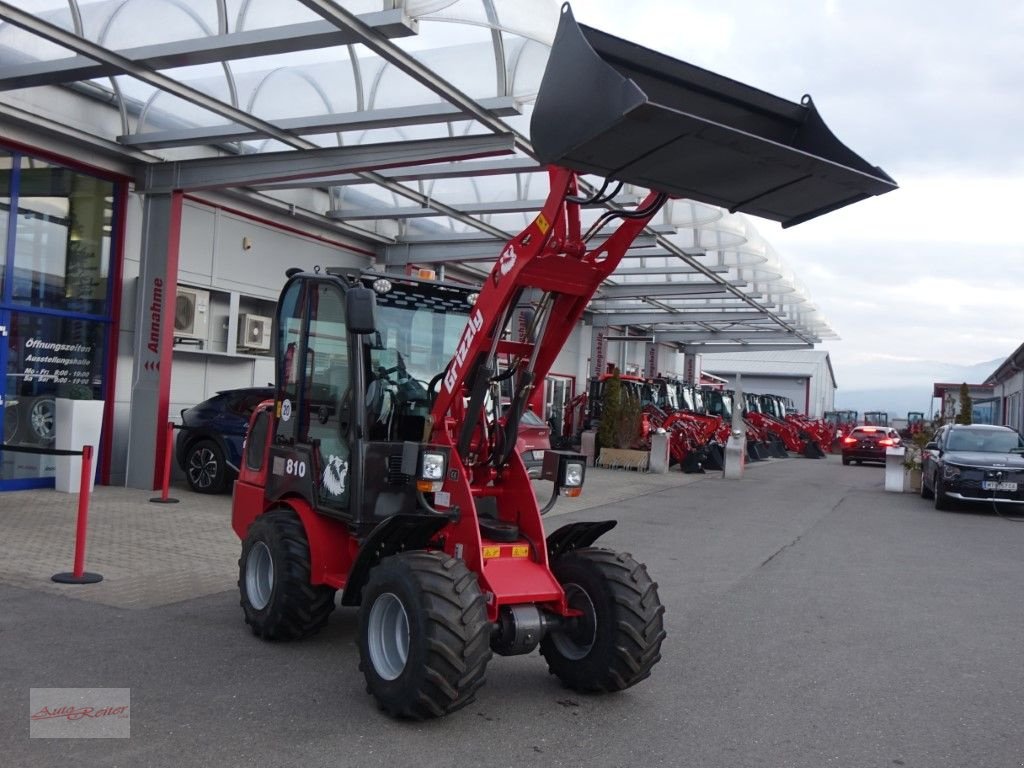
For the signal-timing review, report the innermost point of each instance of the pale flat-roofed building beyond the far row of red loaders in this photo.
(805, 377)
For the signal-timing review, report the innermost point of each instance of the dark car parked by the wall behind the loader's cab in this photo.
(209, 444)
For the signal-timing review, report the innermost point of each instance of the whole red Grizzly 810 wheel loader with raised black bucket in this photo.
(385, 470)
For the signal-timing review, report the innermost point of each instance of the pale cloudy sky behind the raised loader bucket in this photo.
(933, 94)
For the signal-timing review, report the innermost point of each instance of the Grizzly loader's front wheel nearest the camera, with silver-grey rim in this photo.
(424, 635)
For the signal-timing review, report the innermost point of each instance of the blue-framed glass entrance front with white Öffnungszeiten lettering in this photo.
(56, 286)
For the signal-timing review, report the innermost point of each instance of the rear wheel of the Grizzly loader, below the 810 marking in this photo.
(278, 600)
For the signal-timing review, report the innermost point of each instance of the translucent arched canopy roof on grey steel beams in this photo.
(243, 79)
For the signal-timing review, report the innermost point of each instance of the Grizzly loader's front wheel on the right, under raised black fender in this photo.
(619, 639)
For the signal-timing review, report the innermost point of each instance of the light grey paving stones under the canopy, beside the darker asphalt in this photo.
(156, 554)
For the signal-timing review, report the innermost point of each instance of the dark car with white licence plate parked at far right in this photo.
(973, 463)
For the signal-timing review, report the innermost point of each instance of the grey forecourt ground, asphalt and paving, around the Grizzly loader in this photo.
(814, 620)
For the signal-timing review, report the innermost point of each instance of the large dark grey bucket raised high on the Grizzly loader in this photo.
(618, 110)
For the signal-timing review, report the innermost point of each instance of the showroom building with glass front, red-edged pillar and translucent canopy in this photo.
(159, 176)
